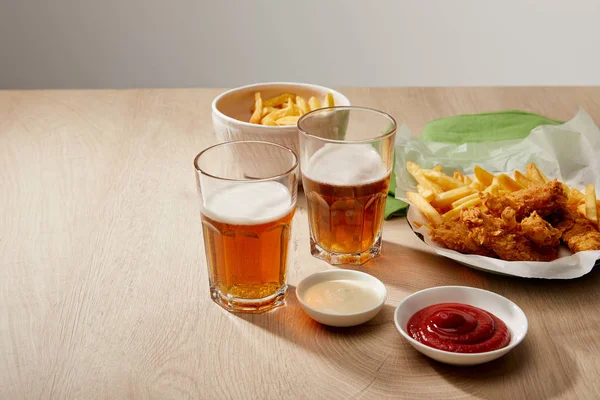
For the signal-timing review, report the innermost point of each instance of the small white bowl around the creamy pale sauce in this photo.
(338, 319)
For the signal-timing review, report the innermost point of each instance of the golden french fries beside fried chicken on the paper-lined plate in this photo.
(441, 197)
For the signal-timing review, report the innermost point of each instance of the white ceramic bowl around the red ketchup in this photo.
(501, 307)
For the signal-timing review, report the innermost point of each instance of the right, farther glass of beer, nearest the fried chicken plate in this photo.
(346, 159)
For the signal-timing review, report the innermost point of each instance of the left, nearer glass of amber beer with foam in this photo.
(248, 193)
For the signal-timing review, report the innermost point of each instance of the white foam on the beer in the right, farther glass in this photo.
(345, 164)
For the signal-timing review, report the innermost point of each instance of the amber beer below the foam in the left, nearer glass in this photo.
(247, 261)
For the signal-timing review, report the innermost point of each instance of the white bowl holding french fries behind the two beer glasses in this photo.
(231, 110)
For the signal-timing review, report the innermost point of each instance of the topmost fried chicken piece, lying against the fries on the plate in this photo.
(544, 199)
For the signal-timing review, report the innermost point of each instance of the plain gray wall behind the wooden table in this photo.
(192, 43)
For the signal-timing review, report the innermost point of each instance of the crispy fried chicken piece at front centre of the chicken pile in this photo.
(506, 238)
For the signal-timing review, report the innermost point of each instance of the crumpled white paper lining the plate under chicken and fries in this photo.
(569, 152)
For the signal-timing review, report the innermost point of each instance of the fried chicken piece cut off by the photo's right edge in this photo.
(579, 233)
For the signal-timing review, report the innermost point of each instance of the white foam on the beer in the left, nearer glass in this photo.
(248, 203)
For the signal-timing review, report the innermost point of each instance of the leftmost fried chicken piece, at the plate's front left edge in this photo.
(454, 234)
